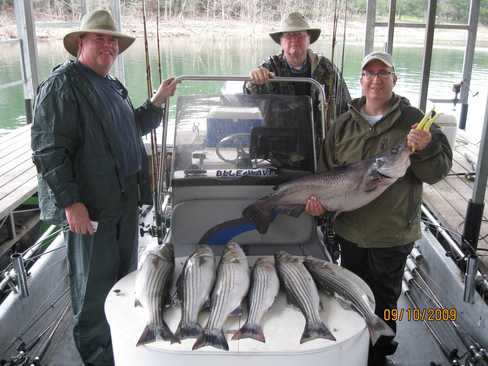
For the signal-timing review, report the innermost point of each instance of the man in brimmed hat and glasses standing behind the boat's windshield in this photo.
(297, 60)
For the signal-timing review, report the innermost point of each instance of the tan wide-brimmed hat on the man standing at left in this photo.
(96, 21)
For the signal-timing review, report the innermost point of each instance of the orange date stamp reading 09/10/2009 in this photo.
(421, 314)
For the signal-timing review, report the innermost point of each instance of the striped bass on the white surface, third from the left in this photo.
(230, 288)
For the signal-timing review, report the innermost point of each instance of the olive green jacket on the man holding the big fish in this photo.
(392, 219)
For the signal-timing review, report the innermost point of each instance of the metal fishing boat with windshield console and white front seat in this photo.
(226, 151)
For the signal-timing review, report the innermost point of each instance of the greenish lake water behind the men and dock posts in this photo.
(236, 56)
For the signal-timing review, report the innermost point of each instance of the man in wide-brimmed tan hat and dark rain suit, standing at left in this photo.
(93, 171)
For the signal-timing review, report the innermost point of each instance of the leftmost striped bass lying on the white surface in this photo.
(153, 282)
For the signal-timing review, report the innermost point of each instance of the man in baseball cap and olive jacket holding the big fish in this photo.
(376, 239)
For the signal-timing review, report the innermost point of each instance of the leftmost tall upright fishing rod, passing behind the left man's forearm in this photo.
(155, 173)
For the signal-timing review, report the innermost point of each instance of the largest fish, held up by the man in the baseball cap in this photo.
(343, 189)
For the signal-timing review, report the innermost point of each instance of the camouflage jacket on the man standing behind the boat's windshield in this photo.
(322, 71)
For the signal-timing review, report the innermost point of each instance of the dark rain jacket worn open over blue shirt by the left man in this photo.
(73, 145)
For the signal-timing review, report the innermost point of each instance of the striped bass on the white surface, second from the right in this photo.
(302, 292)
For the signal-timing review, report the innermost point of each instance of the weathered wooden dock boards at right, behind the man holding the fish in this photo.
(448, 199)
